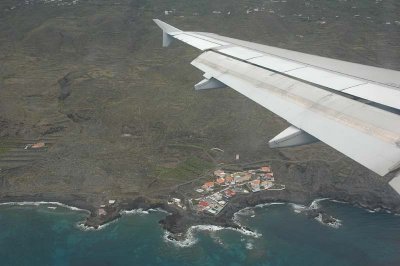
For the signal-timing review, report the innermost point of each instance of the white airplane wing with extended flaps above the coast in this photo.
(351, 107)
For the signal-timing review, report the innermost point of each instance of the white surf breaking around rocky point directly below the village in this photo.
(190, 239)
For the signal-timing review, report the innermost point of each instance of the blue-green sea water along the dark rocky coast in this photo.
(37, 235)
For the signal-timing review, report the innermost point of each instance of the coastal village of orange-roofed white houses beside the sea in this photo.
(216, 193)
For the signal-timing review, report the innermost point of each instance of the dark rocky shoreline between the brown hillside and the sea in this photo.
(179, 221)
